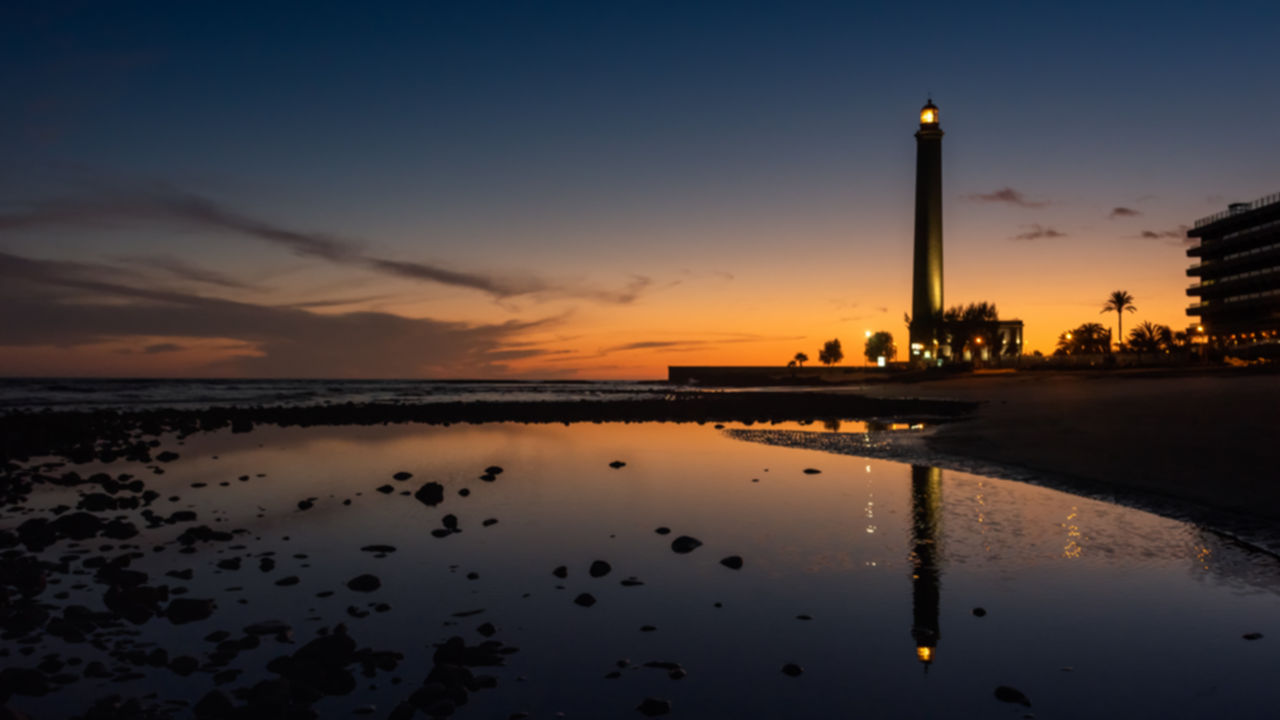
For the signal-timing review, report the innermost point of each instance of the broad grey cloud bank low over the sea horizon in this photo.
(47, 303)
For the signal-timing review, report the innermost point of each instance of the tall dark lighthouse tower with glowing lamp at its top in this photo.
(927, 271)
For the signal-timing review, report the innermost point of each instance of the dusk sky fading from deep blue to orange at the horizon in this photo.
(597, 190)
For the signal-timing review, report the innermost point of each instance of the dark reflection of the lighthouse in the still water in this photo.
(926, 558)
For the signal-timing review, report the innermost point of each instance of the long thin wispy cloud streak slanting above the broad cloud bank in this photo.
(185, 208)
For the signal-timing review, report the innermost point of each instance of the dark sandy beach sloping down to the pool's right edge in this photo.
(1209, 440)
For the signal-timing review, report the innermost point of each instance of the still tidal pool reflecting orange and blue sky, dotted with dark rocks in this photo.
(900, 591)
